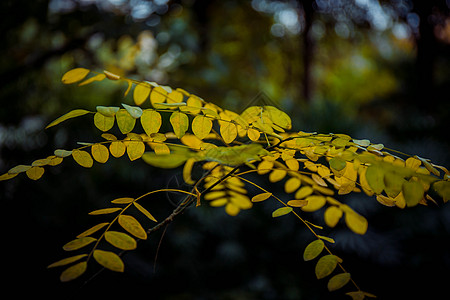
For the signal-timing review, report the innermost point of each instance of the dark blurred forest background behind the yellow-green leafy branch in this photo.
(376, 69)
